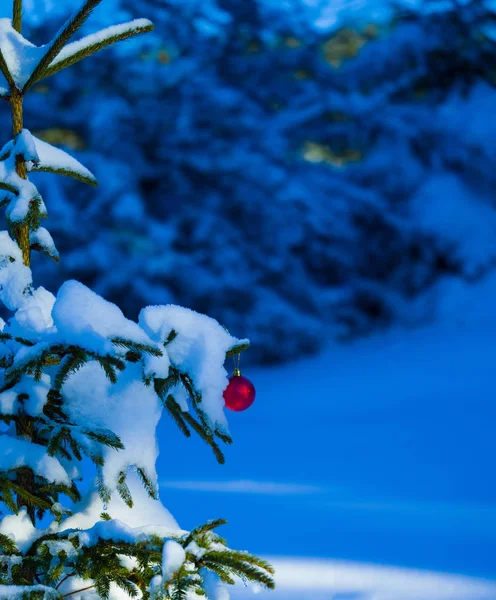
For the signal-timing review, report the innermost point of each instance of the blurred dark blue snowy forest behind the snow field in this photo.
(301, 170)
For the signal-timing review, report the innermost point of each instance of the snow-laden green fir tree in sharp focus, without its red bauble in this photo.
(83, 388)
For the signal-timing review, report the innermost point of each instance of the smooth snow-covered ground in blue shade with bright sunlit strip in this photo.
(376, 453)
